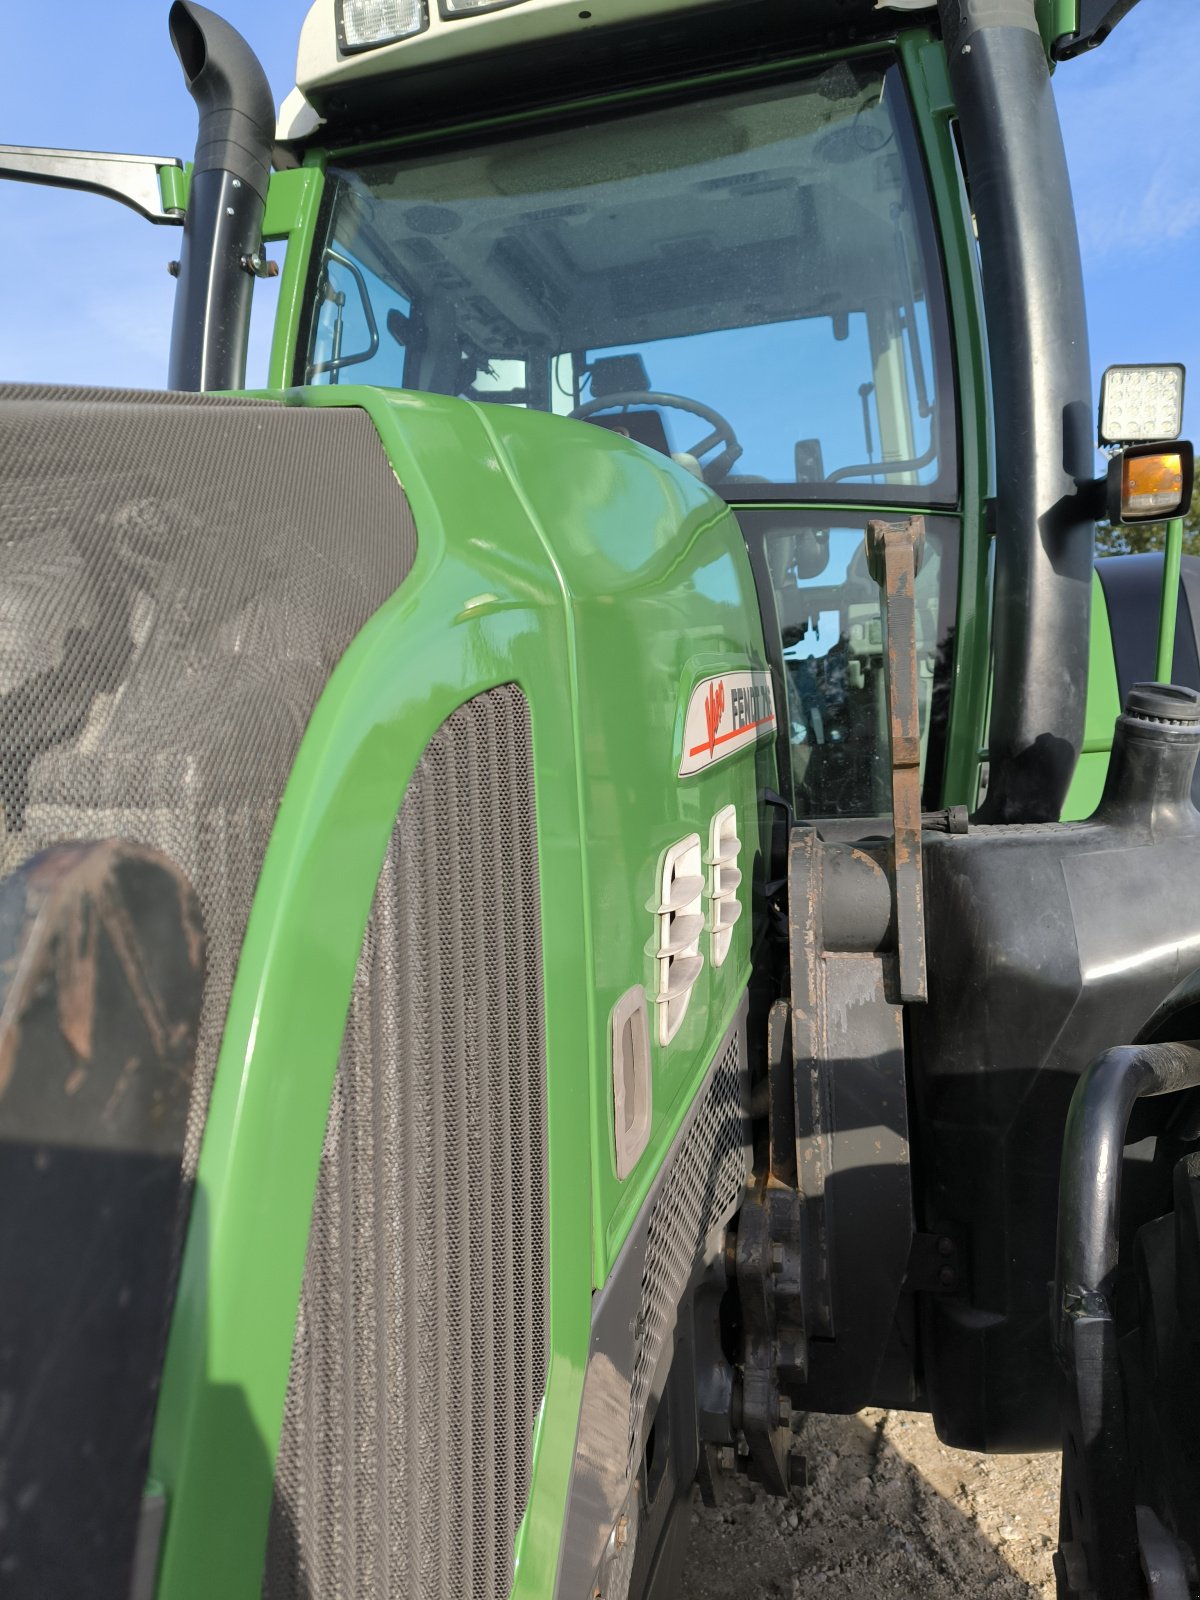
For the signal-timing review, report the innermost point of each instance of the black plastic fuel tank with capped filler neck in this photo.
(1047, 945)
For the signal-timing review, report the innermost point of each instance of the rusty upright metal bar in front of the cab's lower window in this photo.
(895, 553)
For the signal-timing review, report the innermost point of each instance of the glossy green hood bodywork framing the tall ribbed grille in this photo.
(596, 577)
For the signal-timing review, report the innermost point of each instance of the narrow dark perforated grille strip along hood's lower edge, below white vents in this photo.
(700, 1194)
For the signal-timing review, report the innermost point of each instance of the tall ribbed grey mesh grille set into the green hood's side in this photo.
(422, 1342)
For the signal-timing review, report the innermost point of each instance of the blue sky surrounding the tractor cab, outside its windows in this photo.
(89, 298)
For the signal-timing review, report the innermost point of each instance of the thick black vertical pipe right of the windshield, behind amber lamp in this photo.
(1042, 396)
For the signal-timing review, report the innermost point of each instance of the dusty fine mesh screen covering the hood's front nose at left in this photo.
(178, 578)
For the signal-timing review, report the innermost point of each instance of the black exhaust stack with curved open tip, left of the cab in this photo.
(228, 199)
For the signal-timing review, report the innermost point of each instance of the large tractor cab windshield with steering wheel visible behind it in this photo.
(746, 282)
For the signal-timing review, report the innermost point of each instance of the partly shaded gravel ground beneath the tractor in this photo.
(889, 1511)
